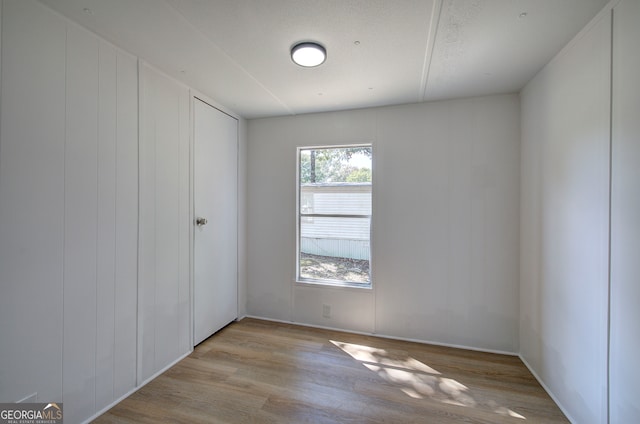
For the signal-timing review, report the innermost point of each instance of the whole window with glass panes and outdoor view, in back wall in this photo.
(334, 215)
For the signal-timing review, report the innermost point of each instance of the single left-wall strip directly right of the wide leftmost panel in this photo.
(80, 223)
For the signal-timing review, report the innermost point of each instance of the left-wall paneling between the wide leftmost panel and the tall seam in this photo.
(100, 223)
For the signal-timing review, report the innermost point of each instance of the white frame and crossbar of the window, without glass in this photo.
(327, 282)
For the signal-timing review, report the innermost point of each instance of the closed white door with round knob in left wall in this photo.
(215, 200)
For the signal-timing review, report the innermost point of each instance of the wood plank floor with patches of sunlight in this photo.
(257, 371)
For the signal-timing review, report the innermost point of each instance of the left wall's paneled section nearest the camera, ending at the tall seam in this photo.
(68, 213)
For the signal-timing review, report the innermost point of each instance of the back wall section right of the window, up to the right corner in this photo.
(446, 211)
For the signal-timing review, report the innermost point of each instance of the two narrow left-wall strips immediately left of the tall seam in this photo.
(117, 265)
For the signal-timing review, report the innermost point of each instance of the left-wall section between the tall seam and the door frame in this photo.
(165, 317)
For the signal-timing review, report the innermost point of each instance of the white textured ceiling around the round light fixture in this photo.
(380, 52)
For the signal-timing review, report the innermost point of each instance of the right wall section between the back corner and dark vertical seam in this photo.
(564, 224)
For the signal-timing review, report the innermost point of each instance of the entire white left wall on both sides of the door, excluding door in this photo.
(75, 324)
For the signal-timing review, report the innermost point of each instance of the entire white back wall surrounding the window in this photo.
(445, 221)
